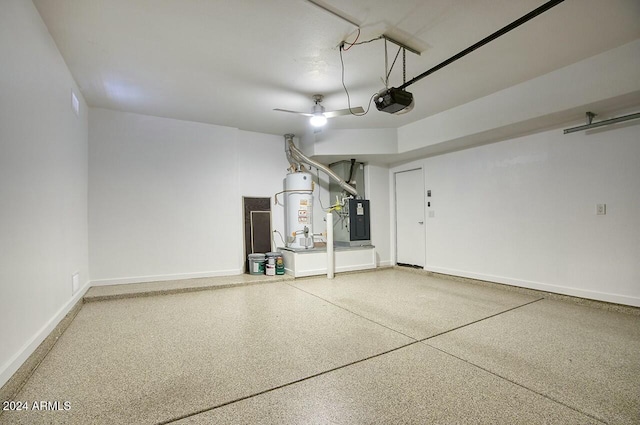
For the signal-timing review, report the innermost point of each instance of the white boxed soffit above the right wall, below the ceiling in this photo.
(596, 83)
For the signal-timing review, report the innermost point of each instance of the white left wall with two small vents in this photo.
(43, 185)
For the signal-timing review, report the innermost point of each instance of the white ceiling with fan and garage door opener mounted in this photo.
(232, 62)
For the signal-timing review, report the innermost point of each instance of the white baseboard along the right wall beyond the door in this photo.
(558, 289)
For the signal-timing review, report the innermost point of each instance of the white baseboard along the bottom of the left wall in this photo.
(13, 364)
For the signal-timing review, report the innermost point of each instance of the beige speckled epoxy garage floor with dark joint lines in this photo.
(390, 346)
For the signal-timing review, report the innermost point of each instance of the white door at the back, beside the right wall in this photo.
(410, 229)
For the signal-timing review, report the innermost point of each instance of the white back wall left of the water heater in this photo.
(166, 195)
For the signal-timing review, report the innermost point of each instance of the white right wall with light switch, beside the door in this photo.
(522, 212)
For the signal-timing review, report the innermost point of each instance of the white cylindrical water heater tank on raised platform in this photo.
(299, 209)
